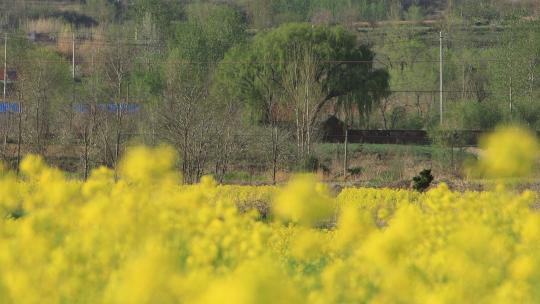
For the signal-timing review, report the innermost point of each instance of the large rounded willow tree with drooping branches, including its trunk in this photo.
(295, 71)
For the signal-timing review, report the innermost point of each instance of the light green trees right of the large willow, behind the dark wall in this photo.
(490, 76)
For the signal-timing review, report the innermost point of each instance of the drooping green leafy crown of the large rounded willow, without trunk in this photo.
(256, 72)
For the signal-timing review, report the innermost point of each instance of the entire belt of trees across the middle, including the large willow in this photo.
(225, 97)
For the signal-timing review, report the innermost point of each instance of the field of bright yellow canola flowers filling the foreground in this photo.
(146, 239)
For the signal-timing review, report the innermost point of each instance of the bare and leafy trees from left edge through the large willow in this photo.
(207, 88)
